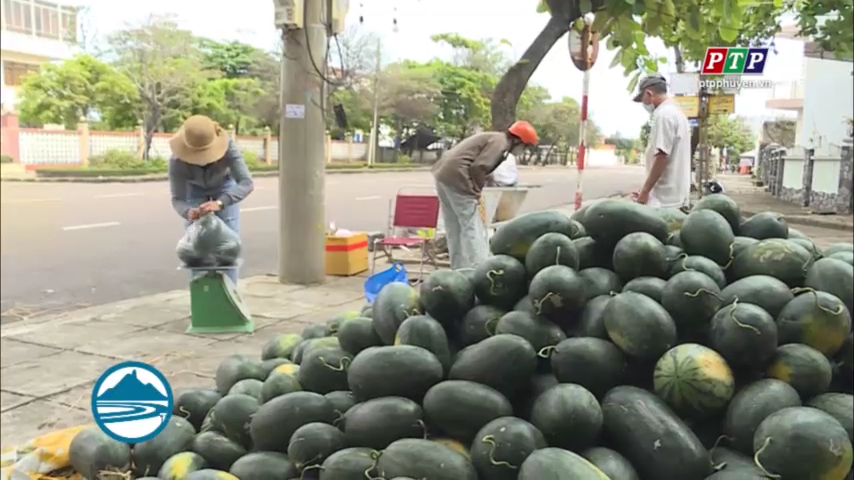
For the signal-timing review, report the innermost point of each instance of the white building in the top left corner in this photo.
(33, 32)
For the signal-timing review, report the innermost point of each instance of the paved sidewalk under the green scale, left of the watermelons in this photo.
(50, 364)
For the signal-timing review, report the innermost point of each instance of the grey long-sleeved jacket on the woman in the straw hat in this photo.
(189, 183)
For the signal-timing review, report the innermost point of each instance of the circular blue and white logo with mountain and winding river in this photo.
(132, 402)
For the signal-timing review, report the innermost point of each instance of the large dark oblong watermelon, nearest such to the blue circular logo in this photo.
(275, 422)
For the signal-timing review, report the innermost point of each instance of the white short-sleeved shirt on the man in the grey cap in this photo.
(670, 133)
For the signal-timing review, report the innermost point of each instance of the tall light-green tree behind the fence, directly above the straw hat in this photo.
(166, 66)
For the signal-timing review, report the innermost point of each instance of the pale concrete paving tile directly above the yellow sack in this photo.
(38, 418)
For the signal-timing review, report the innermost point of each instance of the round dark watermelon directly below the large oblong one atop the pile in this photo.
(640, 254)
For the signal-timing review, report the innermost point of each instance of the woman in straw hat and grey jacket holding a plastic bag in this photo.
(207, 174)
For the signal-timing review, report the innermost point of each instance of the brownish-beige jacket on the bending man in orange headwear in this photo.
(464, 168)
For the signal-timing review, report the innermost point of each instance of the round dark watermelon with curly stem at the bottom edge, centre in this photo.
(500, 447)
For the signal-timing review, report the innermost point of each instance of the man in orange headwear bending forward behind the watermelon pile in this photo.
(461, 173)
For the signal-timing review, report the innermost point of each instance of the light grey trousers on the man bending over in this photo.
(465, 227)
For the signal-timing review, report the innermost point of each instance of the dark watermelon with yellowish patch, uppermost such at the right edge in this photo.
(817, 319)
